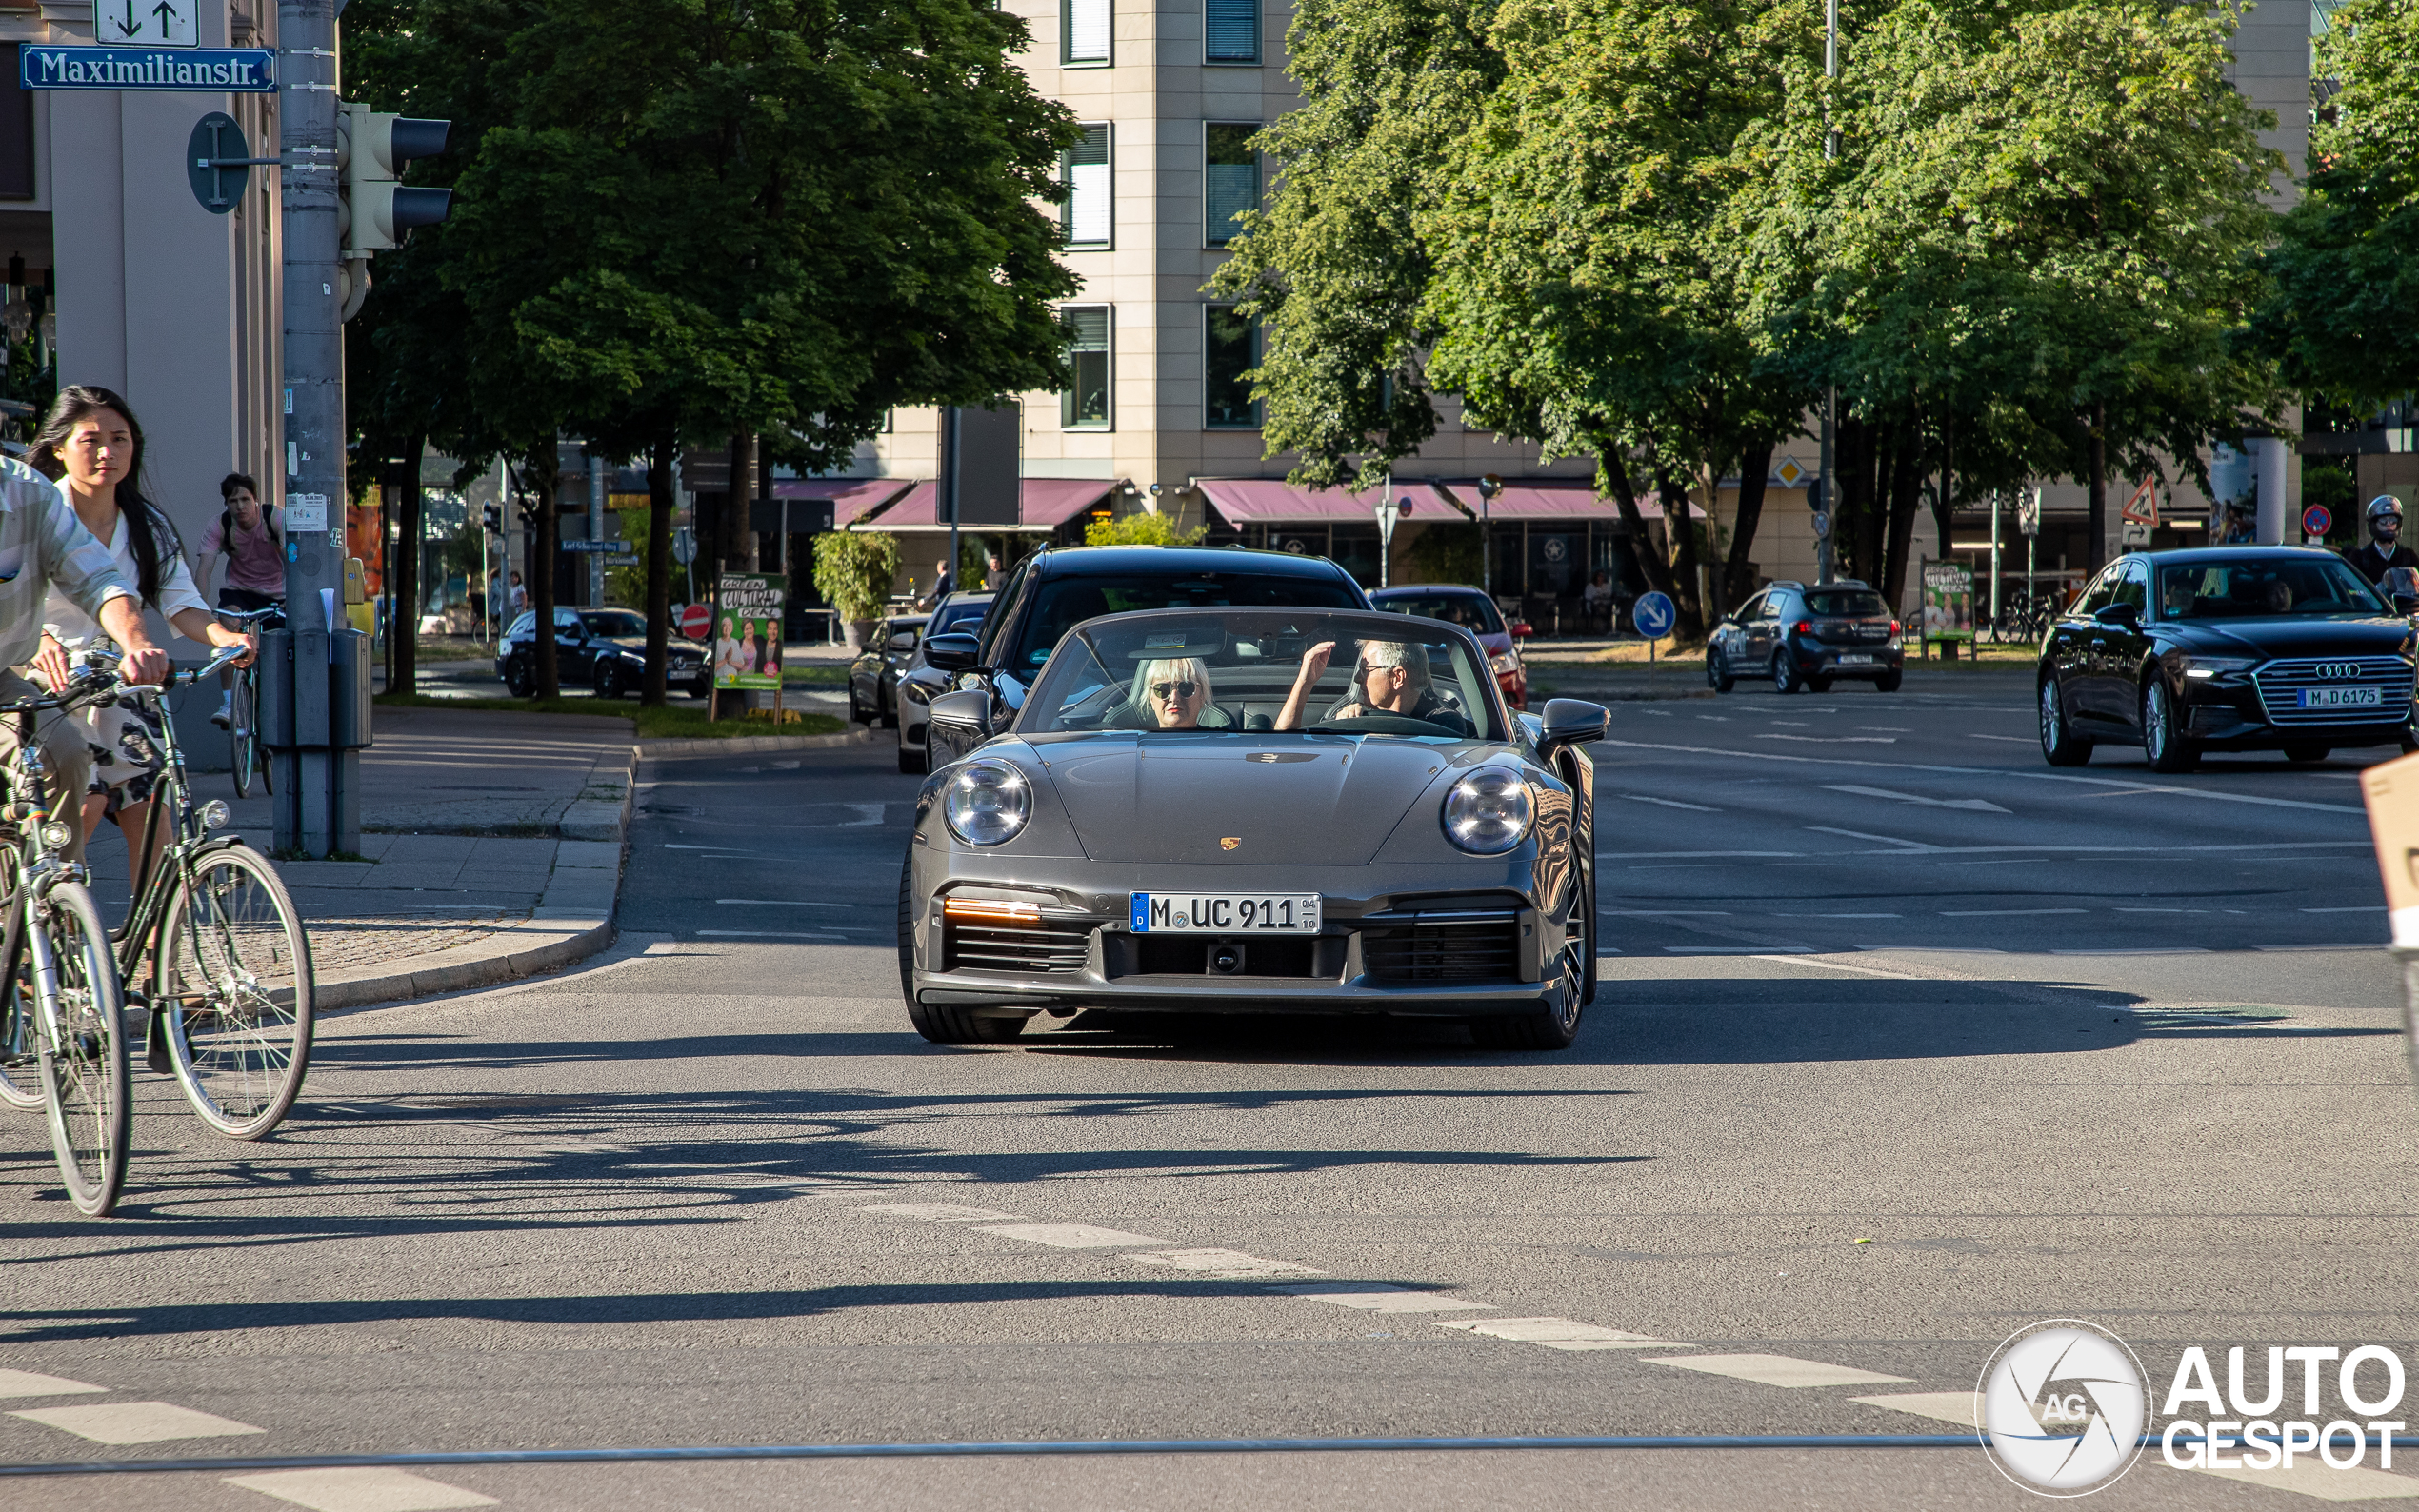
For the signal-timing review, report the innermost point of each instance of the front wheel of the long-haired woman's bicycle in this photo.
(233, 988)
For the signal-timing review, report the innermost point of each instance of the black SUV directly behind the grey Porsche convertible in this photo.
(1053, 591)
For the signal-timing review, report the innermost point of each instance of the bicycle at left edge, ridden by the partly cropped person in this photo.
(62, 1010)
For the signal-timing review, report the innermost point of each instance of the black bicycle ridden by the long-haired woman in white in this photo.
(231, 976)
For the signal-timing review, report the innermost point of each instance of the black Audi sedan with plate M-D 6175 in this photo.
(2227, 650)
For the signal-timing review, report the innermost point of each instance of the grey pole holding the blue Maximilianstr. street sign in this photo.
(318, 809)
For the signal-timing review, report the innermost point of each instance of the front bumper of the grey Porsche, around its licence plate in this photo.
(1395, 940)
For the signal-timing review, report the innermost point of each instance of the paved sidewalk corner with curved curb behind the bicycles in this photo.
(492, 850)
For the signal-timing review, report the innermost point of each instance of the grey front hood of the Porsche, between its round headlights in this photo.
(1254, 802)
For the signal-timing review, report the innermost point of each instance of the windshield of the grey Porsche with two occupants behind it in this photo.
(1264, 671)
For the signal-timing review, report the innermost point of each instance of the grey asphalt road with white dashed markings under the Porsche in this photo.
(2057, 1044)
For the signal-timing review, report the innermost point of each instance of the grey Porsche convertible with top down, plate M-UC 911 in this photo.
(1249, 812)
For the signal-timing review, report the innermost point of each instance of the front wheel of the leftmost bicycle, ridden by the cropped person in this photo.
(86, 1063)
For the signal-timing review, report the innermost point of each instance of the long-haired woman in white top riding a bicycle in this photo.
(93, 446)
